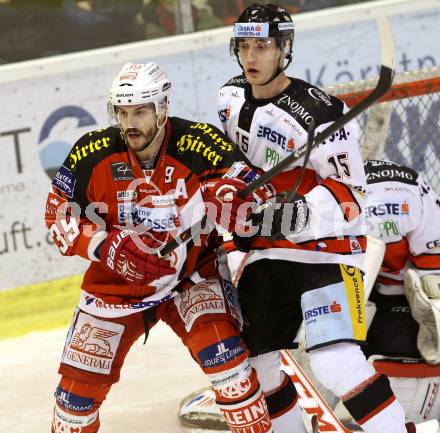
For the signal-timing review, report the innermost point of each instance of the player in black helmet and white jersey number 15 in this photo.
(315, 272)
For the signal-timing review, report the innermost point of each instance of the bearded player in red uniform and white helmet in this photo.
(120, 194)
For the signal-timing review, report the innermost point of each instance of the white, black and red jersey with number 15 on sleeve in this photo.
(267, 131)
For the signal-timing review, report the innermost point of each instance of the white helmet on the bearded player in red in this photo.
(138, 83)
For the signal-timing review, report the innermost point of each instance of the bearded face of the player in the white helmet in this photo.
(138, 124)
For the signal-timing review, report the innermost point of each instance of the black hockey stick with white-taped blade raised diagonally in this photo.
(382, 86)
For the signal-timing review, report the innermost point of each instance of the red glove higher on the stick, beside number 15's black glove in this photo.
(229, 210)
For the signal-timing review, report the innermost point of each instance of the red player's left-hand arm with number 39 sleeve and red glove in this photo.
(78, 230)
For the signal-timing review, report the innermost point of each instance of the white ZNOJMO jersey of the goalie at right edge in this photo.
(404, 212)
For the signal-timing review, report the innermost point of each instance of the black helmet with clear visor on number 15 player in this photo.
(272, 22)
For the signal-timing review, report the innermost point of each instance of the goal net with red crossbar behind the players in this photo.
(404, 126)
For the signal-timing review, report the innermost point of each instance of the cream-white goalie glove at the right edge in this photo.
(423, 295)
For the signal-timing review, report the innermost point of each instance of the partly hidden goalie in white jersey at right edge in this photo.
(403, 339)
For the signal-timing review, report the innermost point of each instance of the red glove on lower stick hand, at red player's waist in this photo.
(121, 254)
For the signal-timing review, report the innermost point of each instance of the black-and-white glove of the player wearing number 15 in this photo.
(278, 218)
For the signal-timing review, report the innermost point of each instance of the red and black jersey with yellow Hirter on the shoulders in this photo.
(105, 187)
